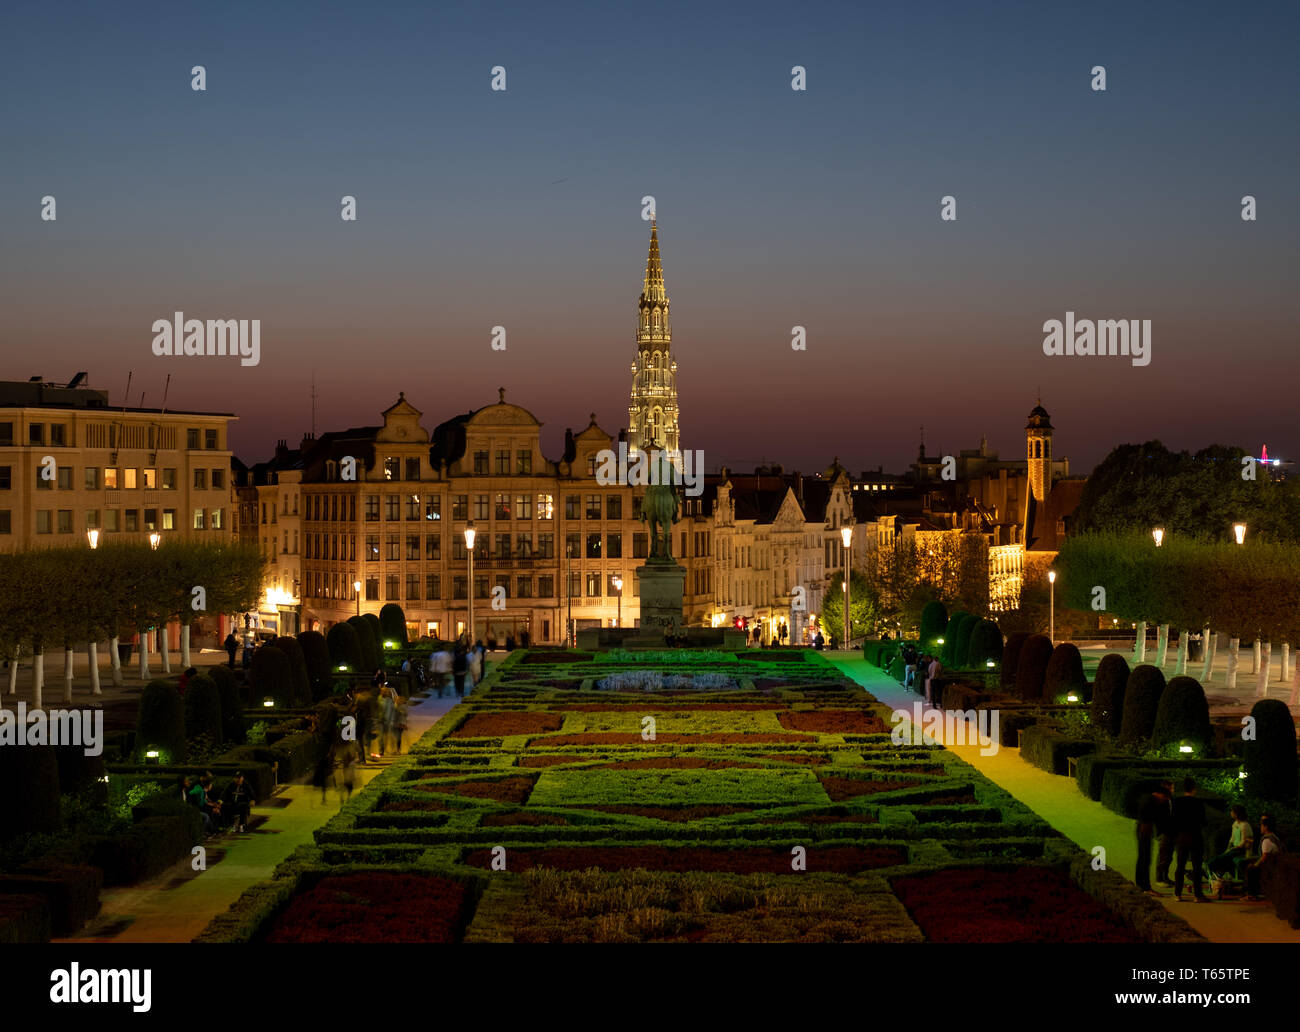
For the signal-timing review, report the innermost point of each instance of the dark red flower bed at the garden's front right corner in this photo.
(1025, 905)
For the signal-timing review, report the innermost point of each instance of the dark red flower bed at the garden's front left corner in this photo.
(374, 908)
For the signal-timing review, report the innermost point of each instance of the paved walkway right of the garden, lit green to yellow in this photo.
(1059, 801)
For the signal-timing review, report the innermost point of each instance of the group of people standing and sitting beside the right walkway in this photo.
(1177, 823)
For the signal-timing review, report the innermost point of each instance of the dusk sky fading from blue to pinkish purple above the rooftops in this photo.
(777, 209)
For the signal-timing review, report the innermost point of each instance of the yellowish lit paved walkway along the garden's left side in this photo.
(180, 903)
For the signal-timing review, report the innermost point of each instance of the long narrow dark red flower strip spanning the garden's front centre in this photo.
(774, 861)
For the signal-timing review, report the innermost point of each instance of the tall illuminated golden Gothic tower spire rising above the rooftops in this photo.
(653, 414)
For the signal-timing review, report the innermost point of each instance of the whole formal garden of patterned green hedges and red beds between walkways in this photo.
(766, 803)
